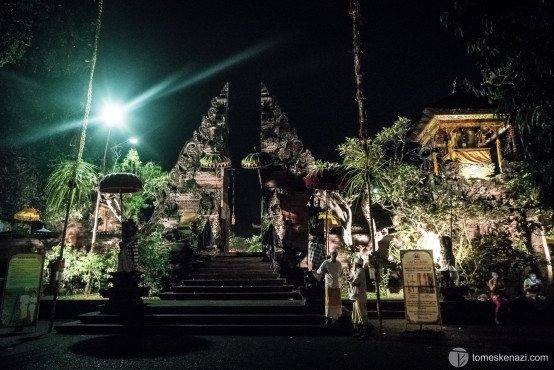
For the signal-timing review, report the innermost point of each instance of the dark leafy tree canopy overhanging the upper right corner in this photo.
(514, 41)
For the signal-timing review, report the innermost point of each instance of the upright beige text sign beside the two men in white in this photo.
(420, 288)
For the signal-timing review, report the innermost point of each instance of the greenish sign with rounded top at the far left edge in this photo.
(22, 290)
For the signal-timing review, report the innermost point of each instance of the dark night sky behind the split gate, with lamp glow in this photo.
(172, 57)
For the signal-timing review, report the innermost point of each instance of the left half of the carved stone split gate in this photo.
(200, 195)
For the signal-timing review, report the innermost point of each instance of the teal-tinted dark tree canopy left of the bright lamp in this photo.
(45, 53)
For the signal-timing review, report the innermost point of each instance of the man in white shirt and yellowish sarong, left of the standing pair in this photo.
(333, 302)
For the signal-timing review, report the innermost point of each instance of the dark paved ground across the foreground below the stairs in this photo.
(397, 349)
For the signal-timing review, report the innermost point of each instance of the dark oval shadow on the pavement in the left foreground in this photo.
(139, 347)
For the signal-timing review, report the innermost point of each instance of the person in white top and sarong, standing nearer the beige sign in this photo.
(360, 320)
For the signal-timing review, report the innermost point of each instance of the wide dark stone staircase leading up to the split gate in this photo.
(230, 295)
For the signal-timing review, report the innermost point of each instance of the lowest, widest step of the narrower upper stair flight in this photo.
(232, 296)
